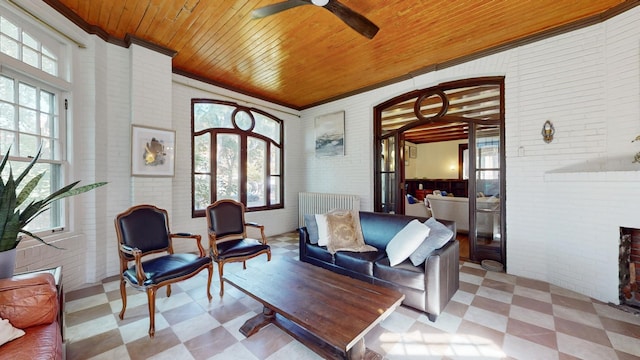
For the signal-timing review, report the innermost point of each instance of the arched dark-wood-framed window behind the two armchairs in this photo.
(237, 154)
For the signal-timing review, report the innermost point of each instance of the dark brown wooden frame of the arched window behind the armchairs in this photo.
(244, 136)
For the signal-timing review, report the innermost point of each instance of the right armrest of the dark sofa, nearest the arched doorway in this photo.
(442, 277)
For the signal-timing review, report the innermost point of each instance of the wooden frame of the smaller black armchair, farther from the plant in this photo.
(242, 248)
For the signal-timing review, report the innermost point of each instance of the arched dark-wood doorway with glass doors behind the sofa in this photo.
(468, 114)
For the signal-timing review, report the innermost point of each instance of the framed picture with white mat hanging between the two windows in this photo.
(152, 151)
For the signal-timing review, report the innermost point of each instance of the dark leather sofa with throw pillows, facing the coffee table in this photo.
(427, 287)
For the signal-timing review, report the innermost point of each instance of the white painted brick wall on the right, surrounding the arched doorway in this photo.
(565, 200)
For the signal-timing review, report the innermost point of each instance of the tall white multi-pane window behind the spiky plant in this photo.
(30, 115)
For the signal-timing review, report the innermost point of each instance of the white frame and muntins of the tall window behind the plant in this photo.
(21, 72)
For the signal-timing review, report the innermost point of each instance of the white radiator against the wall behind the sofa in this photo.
(320, 203)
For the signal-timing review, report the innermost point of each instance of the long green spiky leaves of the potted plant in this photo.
(13, 217)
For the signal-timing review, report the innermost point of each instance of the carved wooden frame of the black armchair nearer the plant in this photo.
(152, 279)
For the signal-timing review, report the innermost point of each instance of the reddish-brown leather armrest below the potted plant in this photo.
(29, 300)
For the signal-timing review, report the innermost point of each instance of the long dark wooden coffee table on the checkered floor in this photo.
(328, 312)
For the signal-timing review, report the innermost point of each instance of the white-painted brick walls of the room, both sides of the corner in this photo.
(565, 200)
